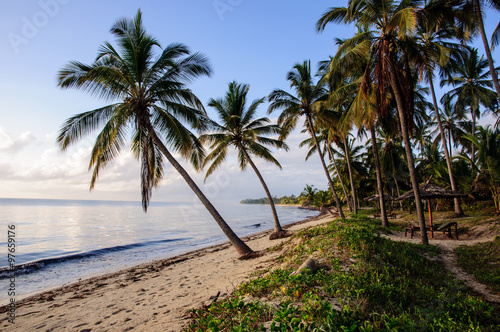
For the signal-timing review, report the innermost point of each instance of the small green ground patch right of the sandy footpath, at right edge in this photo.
(483, 261)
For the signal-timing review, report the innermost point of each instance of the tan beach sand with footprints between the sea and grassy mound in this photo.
(149, 297)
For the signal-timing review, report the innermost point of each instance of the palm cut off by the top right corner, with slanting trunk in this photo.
(471, 19)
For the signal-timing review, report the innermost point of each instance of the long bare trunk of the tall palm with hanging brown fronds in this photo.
(409, 155)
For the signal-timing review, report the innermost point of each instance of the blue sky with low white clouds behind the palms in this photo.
(255, 42)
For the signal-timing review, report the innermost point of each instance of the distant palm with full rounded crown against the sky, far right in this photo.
(471, 86)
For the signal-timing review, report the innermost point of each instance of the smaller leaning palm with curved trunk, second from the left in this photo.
(240, 129)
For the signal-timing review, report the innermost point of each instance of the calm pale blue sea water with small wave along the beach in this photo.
(60, 241)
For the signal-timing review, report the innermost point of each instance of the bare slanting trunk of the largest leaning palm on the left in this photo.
(238, 244)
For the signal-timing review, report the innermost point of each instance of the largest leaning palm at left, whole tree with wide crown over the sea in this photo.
(151, 100)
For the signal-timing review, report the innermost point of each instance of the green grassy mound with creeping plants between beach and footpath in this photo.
(366, 283)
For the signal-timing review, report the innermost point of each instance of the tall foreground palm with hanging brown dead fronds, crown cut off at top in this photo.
(391, 21)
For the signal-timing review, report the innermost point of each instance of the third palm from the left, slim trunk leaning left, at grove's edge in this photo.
(307, 102)
